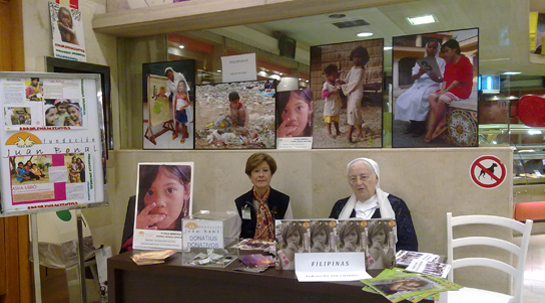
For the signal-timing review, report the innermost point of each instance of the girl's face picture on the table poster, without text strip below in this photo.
(164, 196)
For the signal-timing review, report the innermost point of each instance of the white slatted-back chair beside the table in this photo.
(468, 295)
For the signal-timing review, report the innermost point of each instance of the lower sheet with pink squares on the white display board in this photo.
(49, 178)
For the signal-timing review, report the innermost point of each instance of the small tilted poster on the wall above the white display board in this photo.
(67, 32)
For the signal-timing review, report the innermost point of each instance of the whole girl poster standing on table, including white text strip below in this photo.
(164, 196)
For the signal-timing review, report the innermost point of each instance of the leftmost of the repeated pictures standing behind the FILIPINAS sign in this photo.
(292, 237)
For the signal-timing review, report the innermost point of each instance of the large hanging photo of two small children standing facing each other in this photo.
(346, 81)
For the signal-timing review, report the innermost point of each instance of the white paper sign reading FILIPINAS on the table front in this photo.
(323, 267)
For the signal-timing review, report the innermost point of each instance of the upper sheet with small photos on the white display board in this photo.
(43, 104)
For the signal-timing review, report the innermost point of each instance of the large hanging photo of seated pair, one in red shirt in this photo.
(436, 107)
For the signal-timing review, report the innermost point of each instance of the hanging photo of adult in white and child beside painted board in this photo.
(169, 104)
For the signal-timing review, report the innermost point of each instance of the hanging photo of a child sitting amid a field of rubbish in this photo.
(236, 115)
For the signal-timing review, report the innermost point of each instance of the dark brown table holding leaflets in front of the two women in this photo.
(172, 282)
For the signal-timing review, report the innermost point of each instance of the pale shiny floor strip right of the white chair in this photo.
(534, 276)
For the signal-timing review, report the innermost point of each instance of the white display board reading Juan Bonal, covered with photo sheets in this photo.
(52, 149)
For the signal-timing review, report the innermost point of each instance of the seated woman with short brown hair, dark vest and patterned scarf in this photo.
(259, 207)
